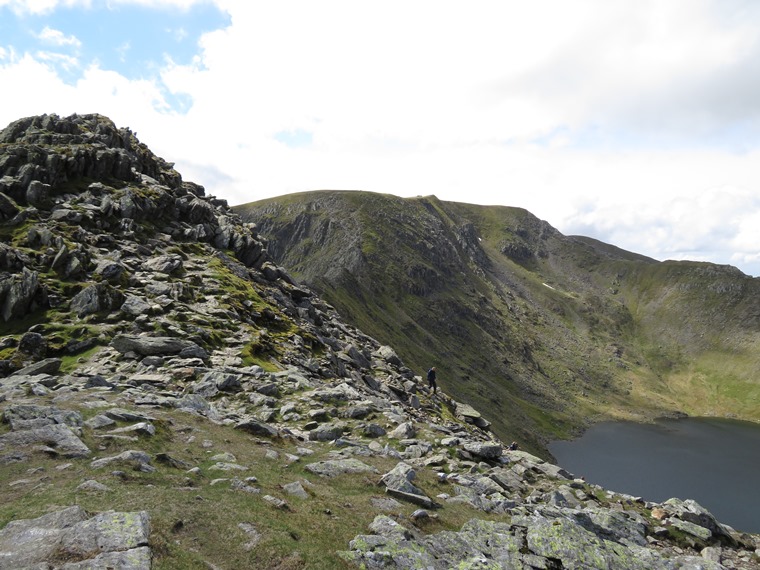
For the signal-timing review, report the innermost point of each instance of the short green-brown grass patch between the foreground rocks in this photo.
(194, 523)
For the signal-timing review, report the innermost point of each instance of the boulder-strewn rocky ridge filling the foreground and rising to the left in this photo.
(149, 345)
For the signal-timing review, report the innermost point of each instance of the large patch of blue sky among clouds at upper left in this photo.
(133, 40)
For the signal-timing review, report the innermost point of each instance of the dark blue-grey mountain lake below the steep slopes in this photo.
(716, 462)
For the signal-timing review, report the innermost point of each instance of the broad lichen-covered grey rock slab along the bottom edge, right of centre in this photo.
(528, 542)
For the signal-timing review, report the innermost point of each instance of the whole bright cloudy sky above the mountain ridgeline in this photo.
(636, 122)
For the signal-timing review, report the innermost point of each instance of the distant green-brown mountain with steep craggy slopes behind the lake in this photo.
(540, 331)
